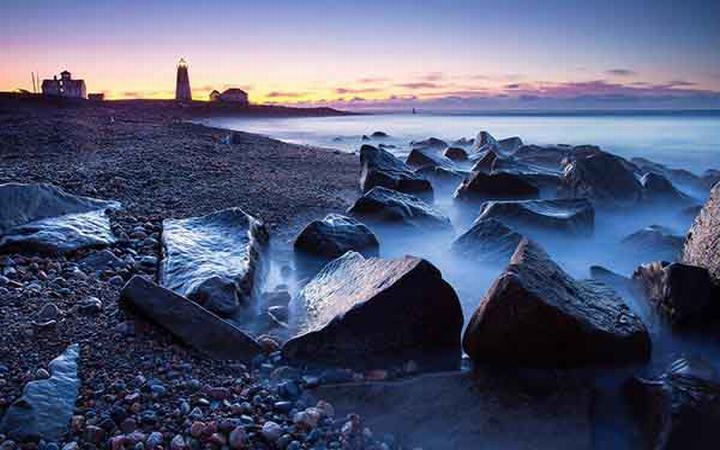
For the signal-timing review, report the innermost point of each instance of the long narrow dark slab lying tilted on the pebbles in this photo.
(190, 322)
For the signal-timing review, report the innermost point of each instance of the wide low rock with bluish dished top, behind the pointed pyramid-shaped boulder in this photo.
(574, 216)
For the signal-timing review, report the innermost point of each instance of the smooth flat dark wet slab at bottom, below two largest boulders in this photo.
(464, 411)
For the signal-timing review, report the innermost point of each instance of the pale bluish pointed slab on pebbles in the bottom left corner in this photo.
(46, 406)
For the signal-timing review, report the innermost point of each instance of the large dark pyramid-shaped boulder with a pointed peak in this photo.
(537, 315)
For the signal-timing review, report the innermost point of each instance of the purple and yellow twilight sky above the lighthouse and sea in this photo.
(444, 55)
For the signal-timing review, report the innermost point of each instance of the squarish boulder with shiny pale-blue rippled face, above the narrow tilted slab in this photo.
(216, 260)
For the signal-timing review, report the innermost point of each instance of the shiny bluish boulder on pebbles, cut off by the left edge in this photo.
(44, 218)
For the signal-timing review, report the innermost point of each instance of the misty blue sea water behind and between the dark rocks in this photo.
(680, 141)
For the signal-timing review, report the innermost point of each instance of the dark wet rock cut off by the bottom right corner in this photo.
(681, 408)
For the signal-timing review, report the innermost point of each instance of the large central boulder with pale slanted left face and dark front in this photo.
(359, 311)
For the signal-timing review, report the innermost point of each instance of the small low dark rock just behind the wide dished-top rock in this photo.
(482, 186)
